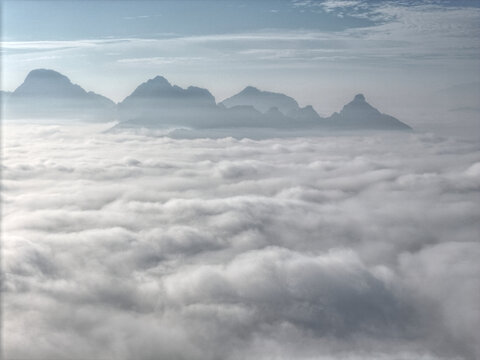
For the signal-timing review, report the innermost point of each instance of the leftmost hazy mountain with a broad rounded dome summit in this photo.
(49, 94)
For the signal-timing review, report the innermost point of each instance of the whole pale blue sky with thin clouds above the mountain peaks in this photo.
(398, 53)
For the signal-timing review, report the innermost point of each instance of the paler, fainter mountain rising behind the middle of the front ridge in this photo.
(262, 100)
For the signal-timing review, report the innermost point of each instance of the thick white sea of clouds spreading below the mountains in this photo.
(121, 246)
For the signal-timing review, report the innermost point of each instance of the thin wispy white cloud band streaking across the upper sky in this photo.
(415, 32)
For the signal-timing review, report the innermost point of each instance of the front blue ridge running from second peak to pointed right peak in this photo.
(156, 104)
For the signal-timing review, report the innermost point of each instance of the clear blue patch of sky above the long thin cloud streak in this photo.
(65, 20)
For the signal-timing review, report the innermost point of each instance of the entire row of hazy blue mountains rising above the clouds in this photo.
(157, 103)
